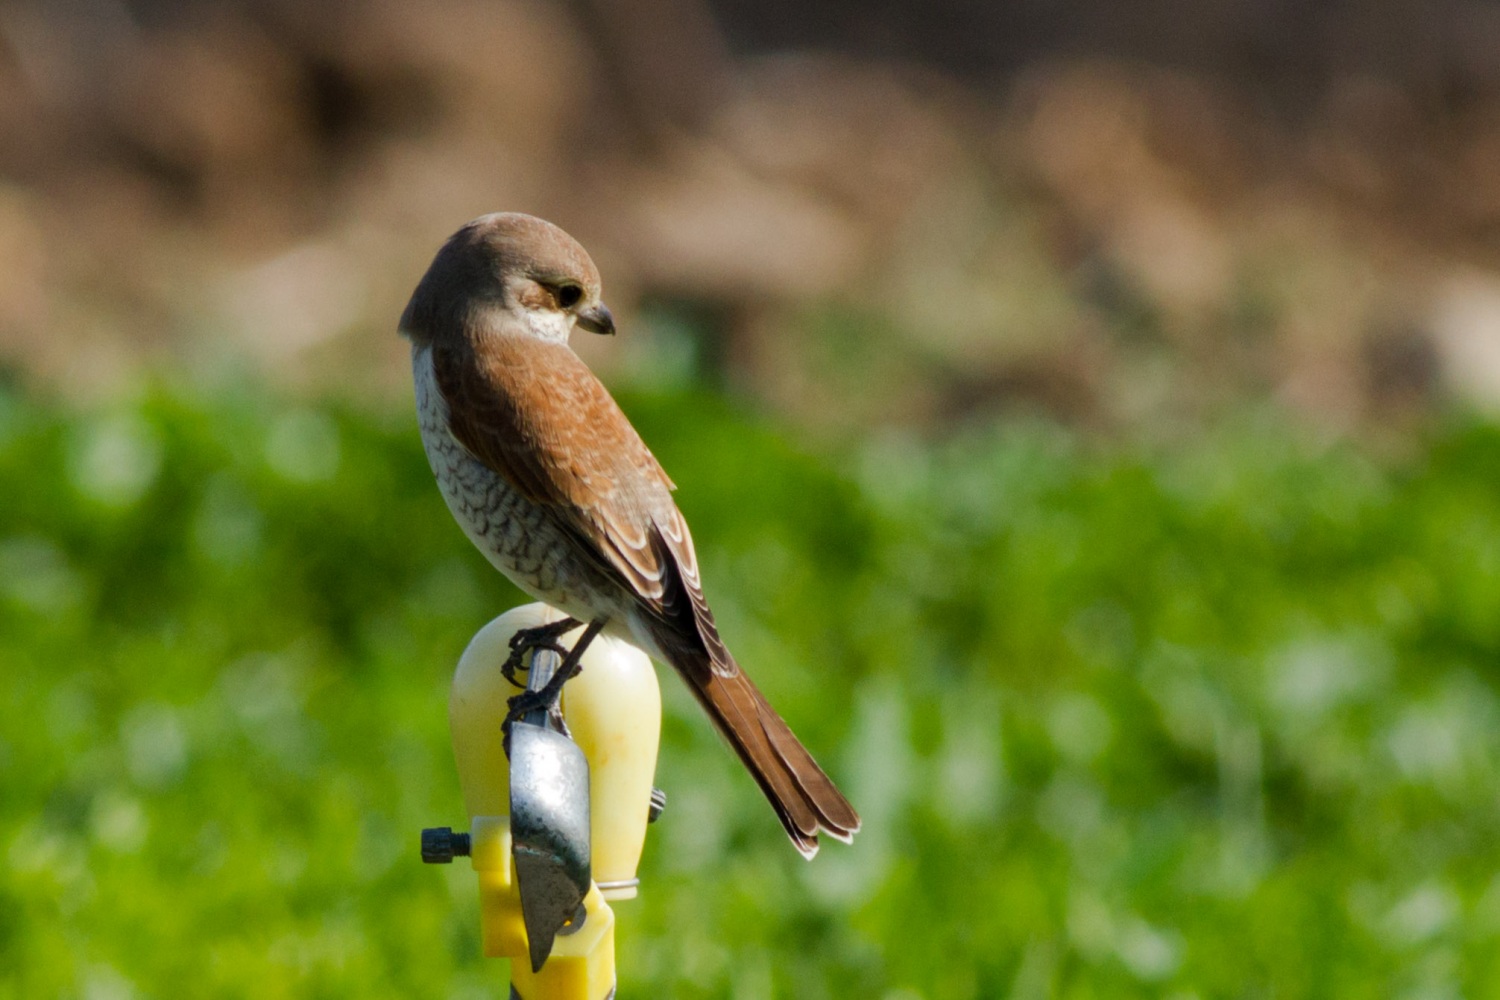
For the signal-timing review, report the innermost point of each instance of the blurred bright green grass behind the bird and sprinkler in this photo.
(1208, 720)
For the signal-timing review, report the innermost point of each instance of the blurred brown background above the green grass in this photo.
(853, 212)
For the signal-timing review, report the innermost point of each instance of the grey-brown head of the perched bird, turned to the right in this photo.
(514, 265)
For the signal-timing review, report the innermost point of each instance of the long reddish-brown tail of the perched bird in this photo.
(803, 797)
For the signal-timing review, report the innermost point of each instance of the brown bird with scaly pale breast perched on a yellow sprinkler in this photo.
(556, 488)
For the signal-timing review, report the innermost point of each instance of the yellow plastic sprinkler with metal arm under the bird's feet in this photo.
(556, 828)
